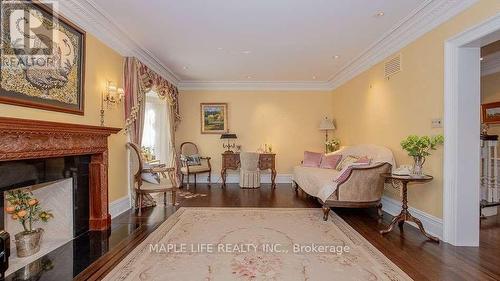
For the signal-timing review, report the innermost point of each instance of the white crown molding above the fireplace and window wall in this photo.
(91, 18)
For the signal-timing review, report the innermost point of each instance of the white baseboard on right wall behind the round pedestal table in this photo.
(432, 225)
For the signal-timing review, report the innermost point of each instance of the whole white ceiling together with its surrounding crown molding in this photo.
(259, 44)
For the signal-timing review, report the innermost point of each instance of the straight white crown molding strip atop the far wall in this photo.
(253, 86)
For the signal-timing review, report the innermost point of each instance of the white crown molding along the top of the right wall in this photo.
(425, 18)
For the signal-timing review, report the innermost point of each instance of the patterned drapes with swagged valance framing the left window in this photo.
(140, 79)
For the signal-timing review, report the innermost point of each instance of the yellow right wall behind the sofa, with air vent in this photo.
(392, 109)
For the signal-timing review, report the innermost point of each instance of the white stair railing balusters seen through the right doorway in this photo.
(489, 176)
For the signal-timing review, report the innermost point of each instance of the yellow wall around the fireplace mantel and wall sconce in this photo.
(102, 64)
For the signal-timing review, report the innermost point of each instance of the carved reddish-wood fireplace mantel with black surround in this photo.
(34, 153)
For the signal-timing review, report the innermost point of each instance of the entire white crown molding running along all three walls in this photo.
(425, 18)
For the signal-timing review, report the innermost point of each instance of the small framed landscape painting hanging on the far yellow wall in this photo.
(213, 118)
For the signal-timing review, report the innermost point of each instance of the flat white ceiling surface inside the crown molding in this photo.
(259, 40)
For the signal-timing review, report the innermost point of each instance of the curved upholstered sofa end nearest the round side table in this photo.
(364, 184)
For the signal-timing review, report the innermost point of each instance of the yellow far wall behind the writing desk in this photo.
(287, 120)
